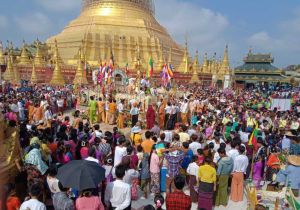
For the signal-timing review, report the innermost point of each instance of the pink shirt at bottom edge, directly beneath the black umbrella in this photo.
(89, 203)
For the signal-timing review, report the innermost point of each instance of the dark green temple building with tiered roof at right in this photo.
(258, 68)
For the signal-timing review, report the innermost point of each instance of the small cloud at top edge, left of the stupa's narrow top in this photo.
(59, 5)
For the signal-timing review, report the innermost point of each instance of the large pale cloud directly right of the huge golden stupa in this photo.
(205, 28)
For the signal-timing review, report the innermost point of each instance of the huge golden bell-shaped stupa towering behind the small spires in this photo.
(116, 24)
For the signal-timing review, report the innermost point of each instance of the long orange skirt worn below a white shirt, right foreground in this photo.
(237, 187)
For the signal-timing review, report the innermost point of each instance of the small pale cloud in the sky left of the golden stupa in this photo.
(37, 24)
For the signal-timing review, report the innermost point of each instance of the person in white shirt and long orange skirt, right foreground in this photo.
(240, 165)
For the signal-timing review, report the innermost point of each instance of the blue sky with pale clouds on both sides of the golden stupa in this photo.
(268, 26)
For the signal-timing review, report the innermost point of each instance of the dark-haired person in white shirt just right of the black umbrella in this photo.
(118, 193)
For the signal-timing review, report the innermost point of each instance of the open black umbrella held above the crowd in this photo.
(81, 174)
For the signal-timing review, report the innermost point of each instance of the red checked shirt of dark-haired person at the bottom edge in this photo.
(177, 200)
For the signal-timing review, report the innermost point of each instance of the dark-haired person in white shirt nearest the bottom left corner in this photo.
(33, 203)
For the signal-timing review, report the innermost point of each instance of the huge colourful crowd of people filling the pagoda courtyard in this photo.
(198, 148)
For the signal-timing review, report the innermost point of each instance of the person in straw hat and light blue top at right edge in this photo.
(290, 175)
